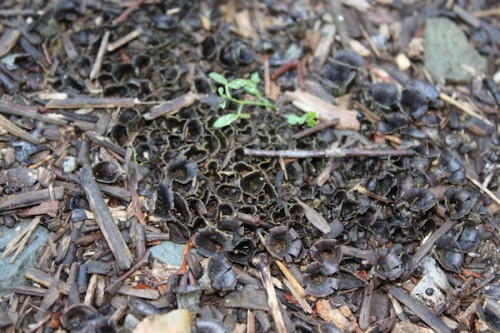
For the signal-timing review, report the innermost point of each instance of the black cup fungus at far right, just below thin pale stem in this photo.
(459, 201)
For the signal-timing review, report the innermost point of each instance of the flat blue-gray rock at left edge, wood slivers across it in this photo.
(13, 274)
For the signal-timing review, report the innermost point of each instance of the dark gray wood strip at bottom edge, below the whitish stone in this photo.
(423, 312)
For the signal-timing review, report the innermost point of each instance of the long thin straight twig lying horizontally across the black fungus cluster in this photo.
(336, 152)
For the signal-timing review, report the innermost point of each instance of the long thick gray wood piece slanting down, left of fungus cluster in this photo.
(104, 219)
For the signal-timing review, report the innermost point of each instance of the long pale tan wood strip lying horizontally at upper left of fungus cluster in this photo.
(90, 103)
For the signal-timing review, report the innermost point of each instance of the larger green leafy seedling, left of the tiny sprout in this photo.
(248, 86)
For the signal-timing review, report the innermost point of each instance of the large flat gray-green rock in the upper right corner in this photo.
(447, 50)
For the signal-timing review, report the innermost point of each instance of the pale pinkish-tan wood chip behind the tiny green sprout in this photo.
(308, 102)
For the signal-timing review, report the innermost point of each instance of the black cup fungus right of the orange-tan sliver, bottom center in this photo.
(318, 282)
